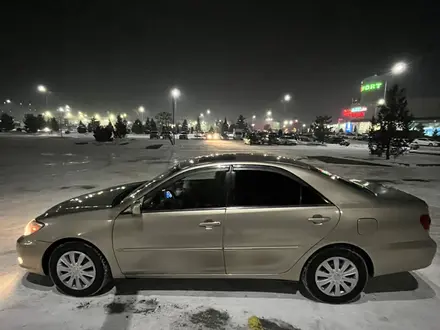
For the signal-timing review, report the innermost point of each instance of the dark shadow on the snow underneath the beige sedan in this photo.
(400, 286)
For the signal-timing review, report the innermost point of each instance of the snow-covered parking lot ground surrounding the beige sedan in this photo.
(35, 173)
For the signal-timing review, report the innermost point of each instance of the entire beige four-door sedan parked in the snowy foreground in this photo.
(209, 217)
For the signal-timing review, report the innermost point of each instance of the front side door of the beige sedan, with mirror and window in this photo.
(180, 229)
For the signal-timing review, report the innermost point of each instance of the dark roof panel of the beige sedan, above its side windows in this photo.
(243, 158)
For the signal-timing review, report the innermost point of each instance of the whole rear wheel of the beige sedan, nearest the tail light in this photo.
(335, 275)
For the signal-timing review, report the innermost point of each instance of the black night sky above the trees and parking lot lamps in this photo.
(233, 57)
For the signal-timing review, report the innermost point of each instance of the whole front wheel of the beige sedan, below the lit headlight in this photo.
(78, 269)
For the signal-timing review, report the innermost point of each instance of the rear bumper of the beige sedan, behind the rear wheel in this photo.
(402, 257)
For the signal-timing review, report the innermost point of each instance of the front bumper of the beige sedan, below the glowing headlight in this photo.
(30, 254)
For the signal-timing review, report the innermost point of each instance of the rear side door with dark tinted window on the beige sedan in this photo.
(272, 219)
